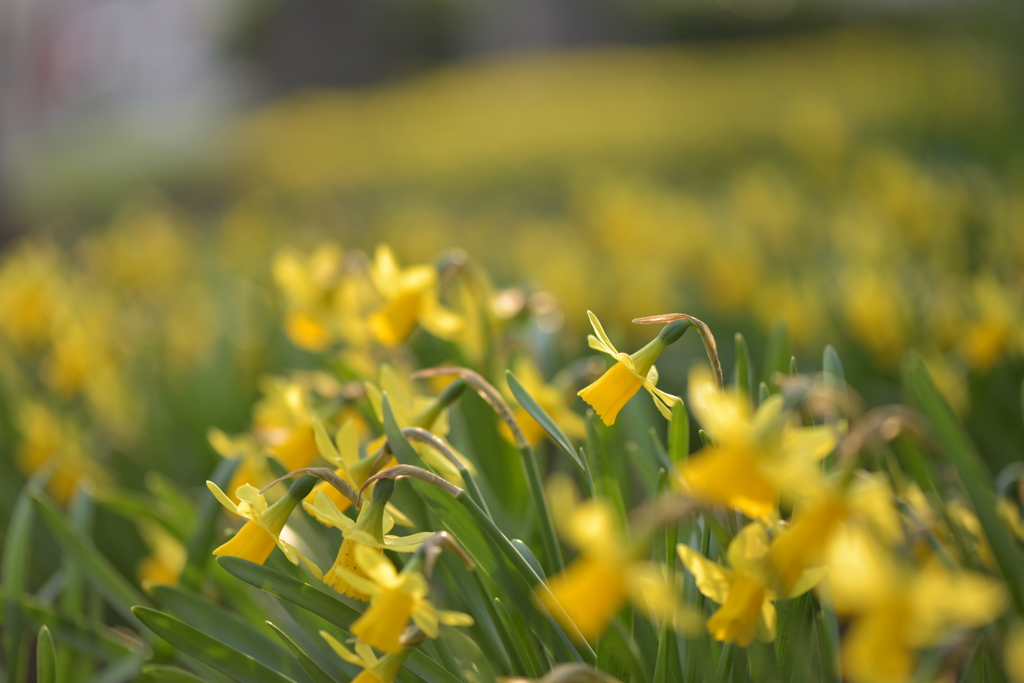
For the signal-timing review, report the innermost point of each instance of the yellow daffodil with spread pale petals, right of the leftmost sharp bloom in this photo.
(370, 530)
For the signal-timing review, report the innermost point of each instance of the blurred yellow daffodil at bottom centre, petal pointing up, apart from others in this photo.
(607, 574)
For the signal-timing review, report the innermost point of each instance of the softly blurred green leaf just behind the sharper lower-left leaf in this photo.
(210, 618)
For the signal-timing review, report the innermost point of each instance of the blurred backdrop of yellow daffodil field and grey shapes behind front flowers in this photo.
(804, 173)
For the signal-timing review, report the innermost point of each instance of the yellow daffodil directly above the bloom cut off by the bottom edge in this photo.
(395, 599)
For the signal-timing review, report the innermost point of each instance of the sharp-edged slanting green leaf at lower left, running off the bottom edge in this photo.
(207, 650)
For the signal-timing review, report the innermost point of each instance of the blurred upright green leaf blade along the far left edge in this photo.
(16, 569)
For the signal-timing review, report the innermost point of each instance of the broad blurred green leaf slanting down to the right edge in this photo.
(954, 444)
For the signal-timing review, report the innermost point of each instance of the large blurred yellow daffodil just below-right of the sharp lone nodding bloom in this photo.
(755, 457)
